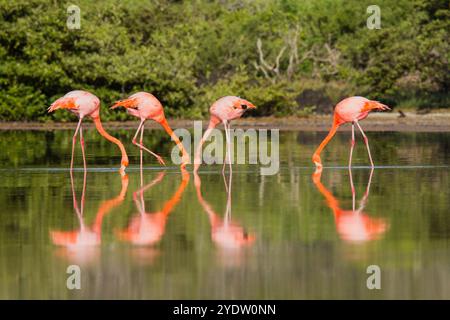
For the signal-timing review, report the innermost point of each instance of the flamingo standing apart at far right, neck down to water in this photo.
(352, 110)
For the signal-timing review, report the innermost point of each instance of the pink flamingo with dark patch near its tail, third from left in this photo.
(223, 110)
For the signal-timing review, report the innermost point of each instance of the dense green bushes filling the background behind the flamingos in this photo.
(189, 53)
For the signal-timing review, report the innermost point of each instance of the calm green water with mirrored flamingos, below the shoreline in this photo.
(285, 236)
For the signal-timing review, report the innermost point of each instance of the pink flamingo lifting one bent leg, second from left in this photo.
(145, 106)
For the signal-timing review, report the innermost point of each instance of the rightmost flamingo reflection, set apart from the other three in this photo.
(352, 225)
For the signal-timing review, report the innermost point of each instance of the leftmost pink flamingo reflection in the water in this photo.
(81, 243)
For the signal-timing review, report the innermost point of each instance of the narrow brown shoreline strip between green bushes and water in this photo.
(412, 122)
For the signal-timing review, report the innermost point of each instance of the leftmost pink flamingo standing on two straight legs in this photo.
(82, 104)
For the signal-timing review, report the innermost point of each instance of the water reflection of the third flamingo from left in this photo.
(225, 232)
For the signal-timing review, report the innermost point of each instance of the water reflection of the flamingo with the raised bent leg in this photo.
(148, 228)
